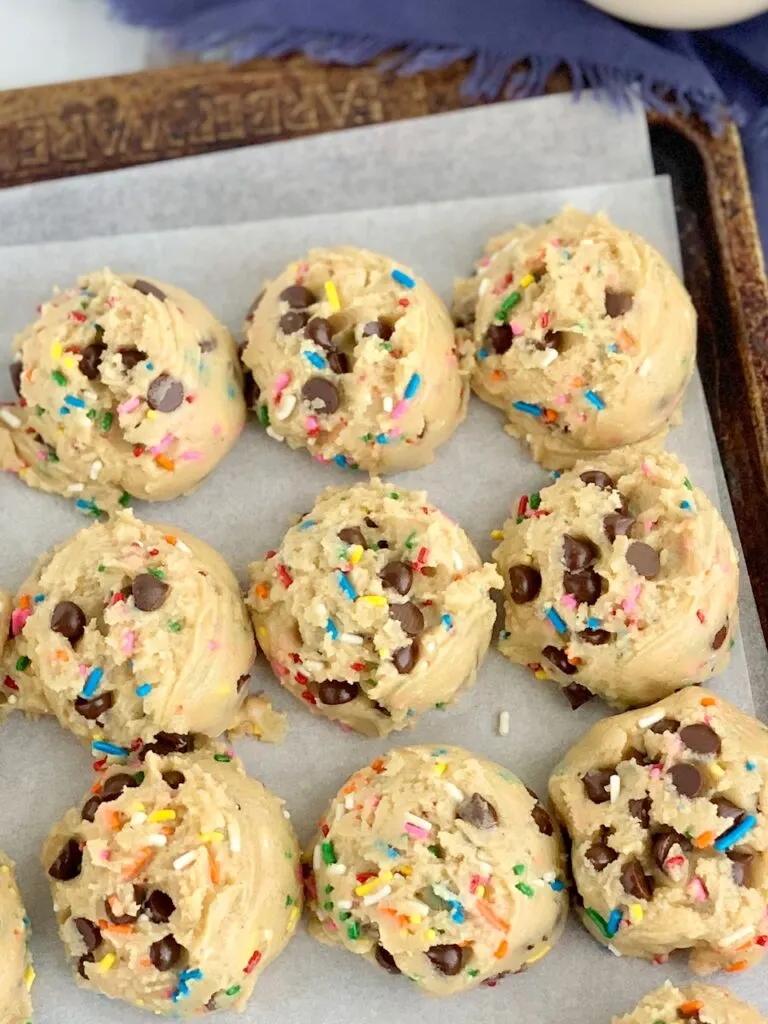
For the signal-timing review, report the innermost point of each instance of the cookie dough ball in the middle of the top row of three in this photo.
(355, 358)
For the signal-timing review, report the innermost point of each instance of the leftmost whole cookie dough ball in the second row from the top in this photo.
(129, 630)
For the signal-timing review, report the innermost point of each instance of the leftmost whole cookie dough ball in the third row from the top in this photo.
(176, 884)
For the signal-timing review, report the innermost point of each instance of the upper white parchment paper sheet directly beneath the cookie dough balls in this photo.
(243, 510)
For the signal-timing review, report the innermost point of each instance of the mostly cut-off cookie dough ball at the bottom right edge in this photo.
(705, 1004)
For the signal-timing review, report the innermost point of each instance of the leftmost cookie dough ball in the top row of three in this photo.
(129, 388)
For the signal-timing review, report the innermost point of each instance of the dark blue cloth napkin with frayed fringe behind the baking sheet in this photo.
(710, 74)
